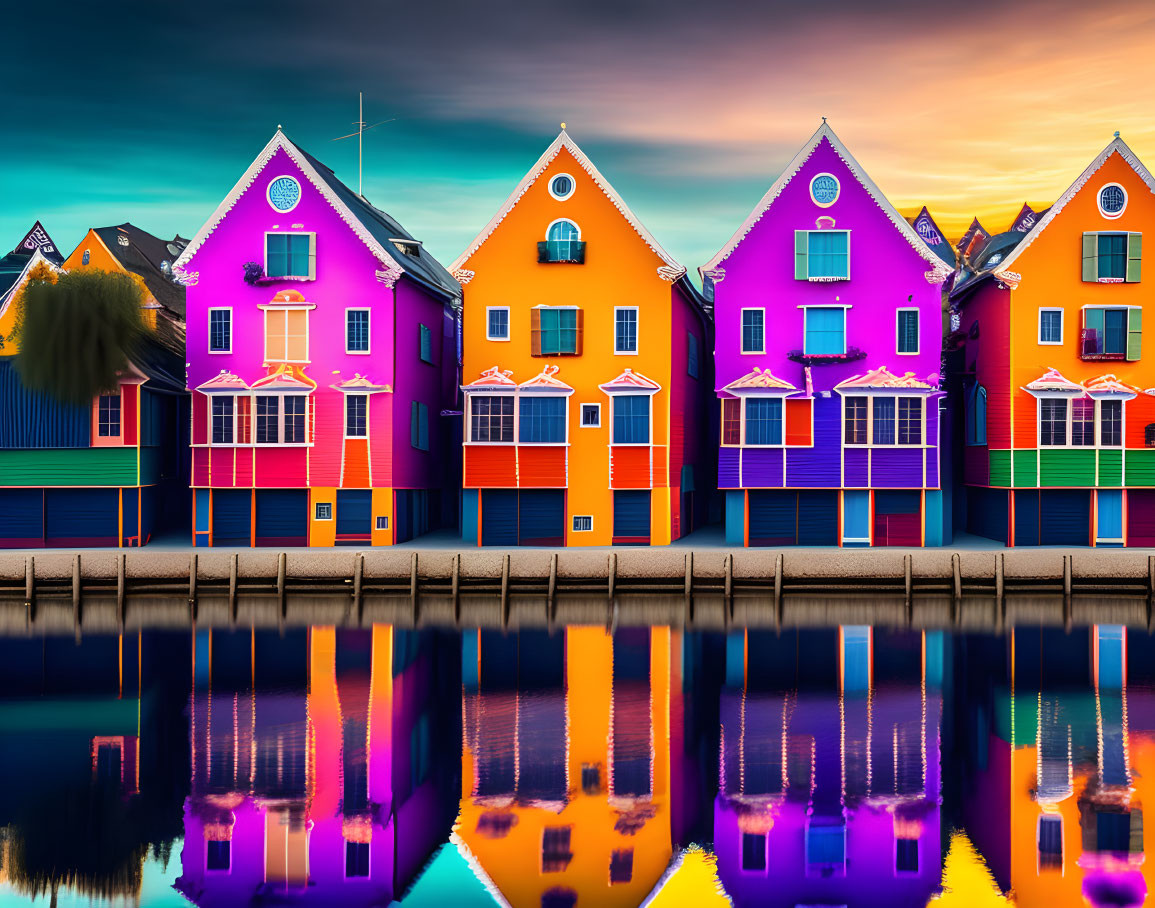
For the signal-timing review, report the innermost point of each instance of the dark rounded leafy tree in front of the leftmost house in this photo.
(77, 333)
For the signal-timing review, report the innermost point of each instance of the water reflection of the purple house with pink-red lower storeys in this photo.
(312, 773)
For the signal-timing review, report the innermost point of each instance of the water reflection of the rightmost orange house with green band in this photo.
(1075, 750)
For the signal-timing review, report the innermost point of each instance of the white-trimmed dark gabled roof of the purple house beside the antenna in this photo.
(375, 228)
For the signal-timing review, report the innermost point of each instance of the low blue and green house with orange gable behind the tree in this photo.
(108, 473)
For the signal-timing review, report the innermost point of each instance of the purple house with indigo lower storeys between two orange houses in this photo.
(829, 323)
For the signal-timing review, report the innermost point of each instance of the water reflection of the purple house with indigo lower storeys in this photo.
(830, 787)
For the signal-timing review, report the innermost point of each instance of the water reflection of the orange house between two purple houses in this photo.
(568, 768)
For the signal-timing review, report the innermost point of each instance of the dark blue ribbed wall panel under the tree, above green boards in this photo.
(31, 420)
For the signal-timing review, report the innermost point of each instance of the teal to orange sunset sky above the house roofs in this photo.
(151, 113)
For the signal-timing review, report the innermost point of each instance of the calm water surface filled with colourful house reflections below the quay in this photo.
(840, 766)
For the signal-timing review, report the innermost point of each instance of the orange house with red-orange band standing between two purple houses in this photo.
(587, 369)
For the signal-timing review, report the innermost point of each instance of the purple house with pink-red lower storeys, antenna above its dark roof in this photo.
(322, 354)
